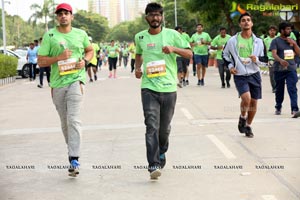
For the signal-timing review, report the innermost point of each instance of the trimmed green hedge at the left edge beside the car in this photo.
(8, 66)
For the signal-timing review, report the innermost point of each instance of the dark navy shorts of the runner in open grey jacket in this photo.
(251, 83)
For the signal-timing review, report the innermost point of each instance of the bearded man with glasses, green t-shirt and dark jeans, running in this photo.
(156, 50)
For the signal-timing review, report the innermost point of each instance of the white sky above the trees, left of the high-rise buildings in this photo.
(22, 7)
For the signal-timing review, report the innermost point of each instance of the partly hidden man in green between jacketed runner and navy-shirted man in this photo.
(267, 41)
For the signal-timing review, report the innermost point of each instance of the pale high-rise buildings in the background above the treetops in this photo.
(117, 11)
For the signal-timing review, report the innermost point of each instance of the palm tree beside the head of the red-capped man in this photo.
(42, 12)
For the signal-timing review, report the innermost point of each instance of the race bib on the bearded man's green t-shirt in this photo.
(156, 69)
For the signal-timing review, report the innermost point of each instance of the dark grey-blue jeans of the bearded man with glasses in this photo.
(158, 112)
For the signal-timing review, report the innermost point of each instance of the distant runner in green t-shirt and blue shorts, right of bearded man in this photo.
(200, 41)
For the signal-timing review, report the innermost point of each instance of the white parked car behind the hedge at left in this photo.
(22, 68)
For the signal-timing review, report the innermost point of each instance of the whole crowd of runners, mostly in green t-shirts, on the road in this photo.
(160, 57)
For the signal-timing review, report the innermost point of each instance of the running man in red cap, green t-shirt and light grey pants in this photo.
(63, 48)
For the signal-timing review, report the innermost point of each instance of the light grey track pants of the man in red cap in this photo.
(68, 101)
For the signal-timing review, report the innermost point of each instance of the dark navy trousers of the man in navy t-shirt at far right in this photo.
(291, 79)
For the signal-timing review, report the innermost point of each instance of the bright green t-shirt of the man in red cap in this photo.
(54, 43)
